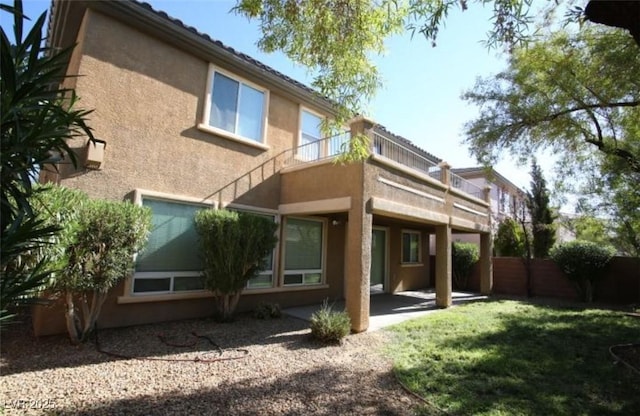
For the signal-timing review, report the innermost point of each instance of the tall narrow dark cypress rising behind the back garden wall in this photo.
(542, 218)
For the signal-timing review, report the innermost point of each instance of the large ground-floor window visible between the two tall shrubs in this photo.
(169, 263)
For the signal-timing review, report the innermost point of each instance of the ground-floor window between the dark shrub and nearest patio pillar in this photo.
(303, 251)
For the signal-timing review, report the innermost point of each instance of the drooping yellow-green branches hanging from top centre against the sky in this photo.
(336, 40)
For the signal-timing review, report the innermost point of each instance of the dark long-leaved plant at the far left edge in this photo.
(37, 118)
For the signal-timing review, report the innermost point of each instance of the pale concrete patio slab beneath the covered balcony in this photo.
(390, 309)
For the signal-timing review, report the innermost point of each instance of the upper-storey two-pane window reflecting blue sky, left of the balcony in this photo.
(237, 106)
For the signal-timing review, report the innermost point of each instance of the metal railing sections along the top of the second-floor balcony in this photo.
(381, 146)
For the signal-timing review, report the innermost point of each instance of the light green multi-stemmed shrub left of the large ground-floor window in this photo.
(92, 254)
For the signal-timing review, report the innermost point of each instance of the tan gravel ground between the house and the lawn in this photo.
(262, 368)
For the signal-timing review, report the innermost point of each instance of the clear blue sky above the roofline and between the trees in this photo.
(420, 99)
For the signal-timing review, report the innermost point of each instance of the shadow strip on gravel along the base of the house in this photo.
(200, 339)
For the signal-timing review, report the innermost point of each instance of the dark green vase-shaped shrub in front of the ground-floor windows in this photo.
(234, 248)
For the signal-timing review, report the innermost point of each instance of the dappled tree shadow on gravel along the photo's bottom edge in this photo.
(323, 391)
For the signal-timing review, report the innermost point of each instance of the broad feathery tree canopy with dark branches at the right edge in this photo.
(572, 93)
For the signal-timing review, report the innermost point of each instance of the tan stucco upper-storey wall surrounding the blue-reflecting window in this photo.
(148, 100)
